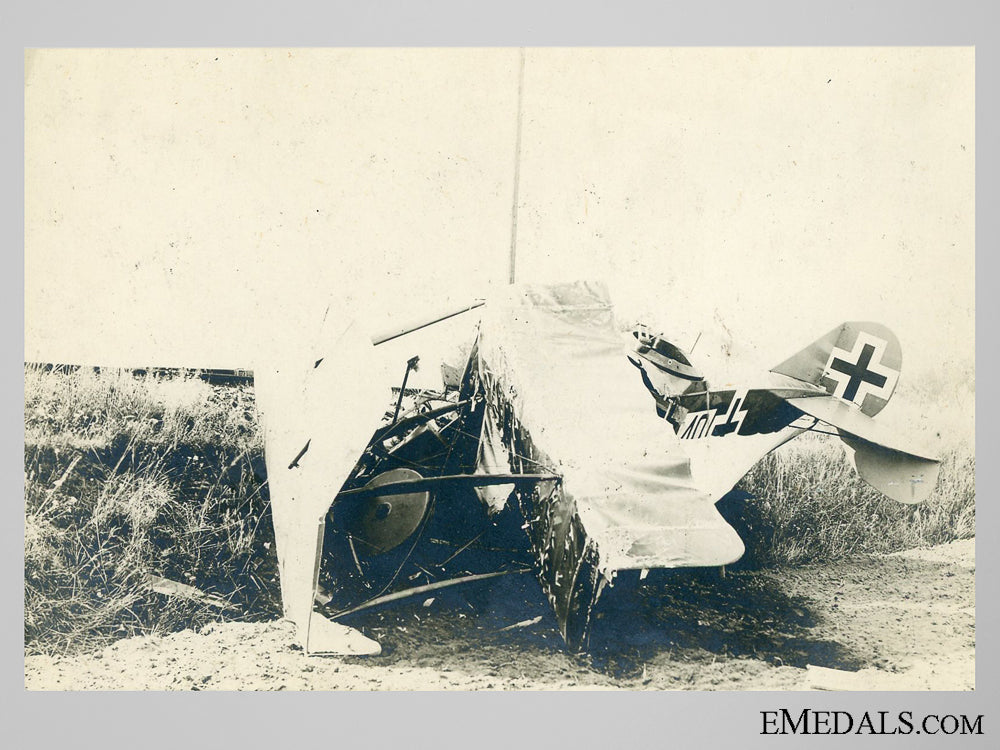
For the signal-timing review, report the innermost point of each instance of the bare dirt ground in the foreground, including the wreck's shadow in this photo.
(905, 621)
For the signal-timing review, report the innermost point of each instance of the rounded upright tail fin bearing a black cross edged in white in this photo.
(857, 362)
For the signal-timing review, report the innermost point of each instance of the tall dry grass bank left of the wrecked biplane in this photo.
(127, 477)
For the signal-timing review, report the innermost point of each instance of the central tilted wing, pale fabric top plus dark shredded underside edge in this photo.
(564, 399)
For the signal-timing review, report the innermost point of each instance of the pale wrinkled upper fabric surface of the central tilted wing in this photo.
(554, 354)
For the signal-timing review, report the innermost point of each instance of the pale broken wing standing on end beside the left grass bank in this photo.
(319, 403)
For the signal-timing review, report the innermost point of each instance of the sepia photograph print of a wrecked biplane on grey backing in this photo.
(500, 369)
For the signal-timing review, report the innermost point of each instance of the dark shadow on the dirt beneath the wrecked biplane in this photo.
(506, 627)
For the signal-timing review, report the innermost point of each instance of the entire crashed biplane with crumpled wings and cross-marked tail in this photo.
(595, 451)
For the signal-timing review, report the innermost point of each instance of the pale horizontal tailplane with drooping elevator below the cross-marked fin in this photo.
(895, 471)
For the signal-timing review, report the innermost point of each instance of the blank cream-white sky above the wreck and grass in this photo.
(193, 207)
